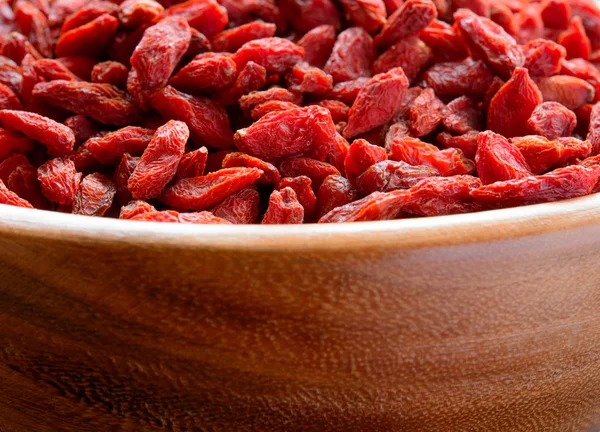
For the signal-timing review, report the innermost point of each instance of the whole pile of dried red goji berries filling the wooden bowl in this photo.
(291, 111)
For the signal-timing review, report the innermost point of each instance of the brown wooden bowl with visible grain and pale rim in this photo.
(482, 322)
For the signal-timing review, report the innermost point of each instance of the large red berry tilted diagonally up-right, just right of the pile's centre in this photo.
(377, 102)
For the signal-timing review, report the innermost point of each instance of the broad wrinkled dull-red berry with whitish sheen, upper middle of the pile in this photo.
(352, 55)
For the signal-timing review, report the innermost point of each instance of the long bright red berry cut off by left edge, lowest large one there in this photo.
(58, 138)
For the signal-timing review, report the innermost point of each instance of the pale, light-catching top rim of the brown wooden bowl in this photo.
(487, 226)
